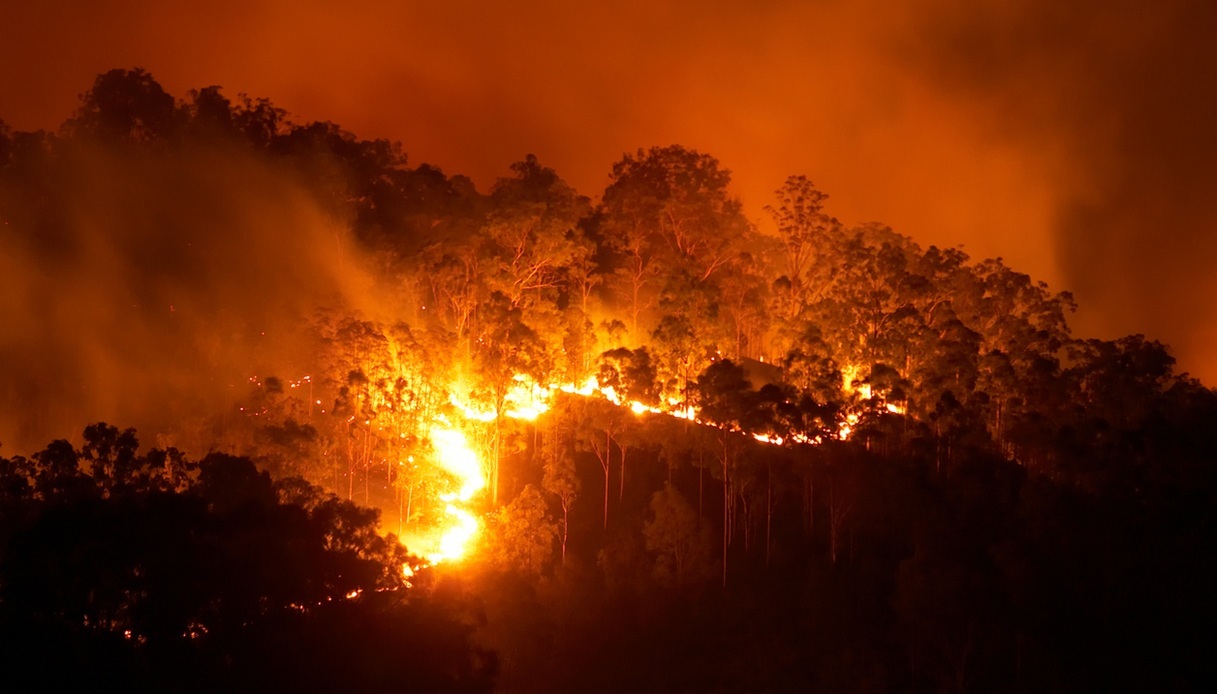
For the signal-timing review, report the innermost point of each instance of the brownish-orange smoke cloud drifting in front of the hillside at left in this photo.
(150, 287)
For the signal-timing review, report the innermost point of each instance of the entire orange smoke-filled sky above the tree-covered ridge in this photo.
(1078, 141)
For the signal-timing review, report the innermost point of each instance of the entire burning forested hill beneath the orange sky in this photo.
(823, 457)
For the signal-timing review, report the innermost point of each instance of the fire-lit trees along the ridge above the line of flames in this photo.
(534, 279)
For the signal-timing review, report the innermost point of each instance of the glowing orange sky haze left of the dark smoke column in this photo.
(770, 89)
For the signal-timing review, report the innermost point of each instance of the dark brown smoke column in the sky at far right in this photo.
(1120, 97)
